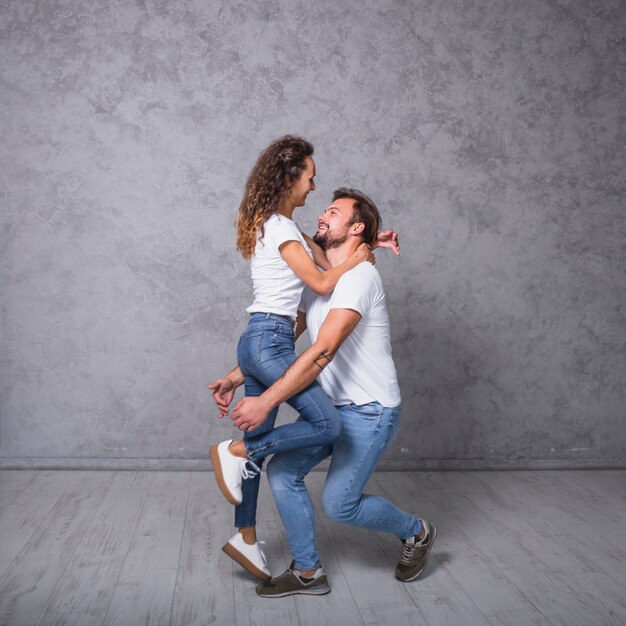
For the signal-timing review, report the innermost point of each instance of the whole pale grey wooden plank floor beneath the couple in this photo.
(545, 547)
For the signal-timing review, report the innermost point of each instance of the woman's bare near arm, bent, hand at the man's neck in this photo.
(305, 269)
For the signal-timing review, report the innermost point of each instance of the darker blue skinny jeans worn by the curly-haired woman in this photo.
(264, 353)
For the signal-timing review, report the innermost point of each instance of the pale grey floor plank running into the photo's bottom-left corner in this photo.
(27, 584)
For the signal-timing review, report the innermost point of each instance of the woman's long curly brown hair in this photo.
(272, 177)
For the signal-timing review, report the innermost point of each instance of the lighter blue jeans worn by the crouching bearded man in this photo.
(368, 430)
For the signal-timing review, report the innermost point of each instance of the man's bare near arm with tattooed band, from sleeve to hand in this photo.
(251, 412)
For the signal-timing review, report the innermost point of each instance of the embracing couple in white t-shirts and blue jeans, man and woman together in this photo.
(344, 387)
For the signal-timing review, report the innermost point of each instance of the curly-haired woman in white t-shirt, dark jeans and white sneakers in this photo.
(283, 260)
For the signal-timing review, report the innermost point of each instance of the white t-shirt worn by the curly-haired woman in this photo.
(276, 288)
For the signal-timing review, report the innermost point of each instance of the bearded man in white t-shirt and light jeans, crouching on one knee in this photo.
(351, 354)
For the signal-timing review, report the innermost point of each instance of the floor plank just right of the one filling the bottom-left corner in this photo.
(85, 589)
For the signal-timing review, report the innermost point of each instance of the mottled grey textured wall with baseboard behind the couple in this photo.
(491, 134)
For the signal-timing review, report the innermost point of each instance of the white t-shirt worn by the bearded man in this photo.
(363, 370)
